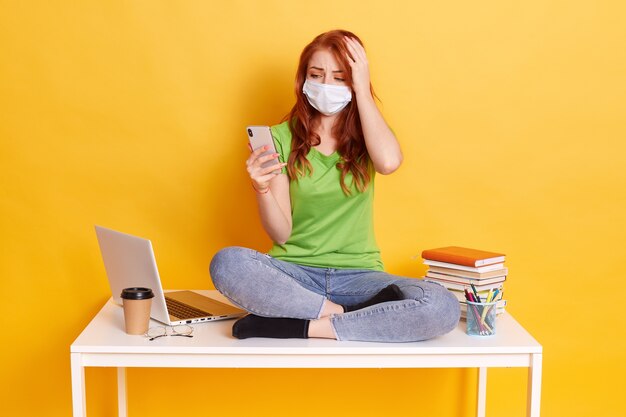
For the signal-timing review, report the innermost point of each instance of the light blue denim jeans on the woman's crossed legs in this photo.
(269, 287)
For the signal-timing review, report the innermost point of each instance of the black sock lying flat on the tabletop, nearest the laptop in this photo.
(277, 328)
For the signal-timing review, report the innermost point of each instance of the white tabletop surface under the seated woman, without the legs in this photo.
(105, 334)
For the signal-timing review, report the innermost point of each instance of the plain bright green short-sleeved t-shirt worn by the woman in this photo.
(330, 229)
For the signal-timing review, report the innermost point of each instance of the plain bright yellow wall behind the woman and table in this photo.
(130, 114)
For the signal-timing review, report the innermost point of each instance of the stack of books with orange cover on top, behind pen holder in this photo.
(459, 268)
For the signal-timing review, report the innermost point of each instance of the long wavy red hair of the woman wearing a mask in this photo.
(303, 118)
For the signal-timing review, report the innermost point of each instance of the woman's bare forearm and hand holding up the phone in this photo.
(272, 194)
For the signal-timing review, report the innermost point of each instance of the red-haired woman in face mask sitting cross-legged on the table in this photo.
(324, 276)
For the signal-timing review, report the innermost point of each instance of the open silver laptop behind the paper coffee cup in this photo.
(129, 262)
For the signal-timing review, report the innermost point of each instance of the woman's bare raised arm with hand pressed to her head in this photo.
(382, 145)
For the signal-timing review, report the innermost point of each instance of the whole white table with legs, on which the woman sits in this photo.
(104, 343)
